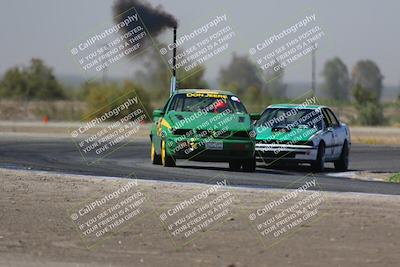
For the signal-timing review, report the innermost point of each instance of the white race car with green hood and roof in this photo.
(302, 134)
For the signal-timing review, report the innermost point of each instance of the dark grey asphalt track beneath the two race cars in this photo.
(61, 155)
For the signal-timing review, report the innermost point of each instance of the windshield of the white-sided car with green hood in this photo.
(291, 117)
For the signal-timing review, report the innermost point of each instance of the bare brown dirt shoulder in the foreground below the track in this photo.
(37, 229)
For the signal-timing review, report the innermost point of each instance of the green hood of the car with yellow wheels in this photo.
(209, 121)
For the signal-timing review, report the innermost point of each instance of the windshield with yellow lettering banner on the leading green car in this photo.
(206, 102)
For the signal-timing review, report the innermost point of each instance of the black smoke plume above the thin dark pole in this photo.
(154, 18)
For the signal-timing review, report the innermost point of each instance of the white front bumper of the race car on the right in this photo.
(295, 153)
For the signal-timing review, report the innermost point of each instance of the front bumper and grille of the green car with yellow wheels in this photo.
(218, 150)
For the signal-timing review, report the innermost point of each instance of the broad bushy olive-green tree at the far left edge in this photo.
(36, 81)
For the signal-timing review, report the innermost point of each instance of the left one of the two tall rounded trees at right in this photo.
(337, 80)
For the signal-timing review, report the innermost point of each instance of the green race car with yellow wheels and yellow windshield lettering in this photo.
(203, 125)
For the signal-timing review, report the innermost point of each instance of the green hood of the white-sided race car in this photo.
(294, 134)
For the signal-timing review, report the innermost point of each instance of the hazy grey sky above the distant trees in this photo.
(355, 30)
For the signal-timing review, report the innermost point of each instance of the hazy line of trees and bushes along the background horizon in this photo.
(363, 86)
